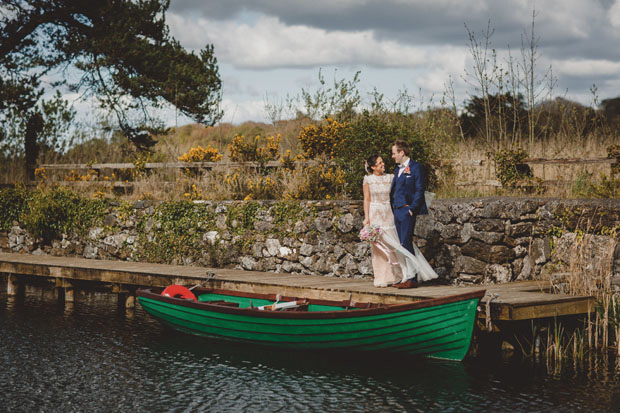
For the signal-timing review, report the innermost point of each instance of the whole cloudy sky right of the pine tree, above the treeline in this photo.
(268, 49)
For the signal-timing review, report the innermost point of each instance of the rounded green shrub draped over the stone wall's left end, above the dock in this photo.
(60, 211)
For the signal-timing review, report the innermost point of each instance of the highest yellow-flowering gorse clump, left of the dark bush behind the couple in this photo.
(324, 138)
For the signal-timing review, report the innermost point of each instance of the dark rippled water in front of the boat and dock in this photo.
(96, 357)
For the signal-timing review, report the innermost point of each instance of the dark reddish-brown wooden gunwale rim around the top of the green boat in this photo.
(255, 312)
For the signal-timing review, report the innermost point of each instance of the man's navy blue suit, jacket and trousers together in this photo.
(407, 194)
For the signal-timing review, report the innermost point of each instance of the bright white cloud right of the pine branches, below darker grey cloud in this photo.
(269, 44)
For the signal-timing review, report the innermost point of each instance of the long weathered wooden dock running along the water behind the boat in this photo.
(507, 302)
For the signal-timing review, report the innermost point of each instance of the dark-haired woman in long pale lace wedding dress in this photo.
(391, 262)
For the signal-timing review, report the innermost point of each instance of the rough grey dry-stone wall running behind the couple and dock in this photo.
(466, 240)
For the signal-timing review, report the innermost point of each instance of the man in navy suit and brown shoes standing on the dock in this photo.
(407, 199)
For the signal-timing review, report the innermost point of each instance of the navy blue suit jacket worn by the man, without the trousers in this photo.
(408, 189)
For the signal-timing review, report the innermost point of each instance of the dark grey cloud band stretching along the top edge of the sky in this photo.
(565, 27)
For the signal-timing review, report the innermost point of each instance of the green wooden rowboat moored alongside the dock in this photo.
(438, 328)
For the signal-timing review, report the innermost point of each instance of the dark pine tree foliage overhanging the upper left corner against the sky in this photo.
(123, 53)
